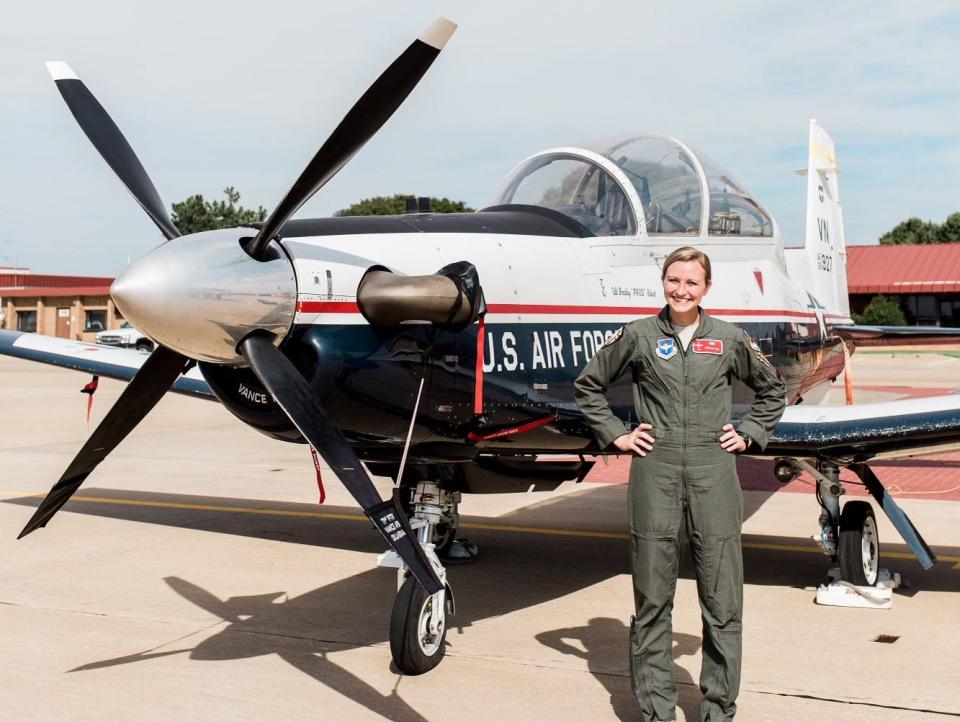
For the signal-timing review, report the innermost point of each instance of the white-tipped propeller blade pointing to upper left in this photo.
(109, 141)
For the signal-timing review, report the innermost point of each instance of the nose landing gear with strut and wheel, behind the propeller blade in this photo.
(418, 624)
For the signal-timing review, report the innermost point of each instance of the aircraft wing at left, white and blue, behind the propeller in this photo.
(106, 361)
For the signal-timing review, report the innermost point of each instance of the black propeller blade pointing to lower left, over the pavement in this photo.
(143, 392)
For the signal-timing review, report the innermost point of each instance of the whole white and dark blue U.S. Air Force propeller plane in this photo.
(441, 349)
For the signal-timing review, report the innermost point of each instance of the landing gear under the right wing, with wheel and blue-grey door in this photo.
(850, 537)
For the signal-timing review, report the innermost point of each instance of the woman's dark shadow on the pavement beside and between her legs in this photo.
(604, 644)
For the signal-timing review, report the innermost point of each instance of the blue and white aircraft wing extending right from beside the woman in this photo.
(887, 429)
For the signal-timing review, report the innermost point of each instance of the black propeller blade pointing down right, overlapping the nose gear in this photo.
(306, 412)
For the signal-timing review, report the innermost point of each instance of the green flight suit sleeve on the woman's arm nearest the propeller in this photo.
(606, 366)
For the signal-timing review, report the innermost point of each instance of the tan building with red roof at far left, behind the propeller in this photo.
(73, 307)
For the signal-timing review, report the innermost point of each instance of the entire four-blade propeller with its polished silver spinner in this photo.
(227, 298)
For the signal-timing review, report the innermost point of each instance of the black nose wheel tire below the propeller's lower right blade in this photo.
(418, 632)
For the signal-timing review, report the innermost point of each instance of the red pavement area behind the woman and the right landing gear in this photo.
(924, 477)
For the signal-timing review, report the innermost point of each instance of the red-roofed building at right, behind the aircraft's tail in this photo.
(925, 278)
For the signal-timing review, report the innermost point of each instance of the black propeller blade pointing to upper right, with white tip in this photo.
(365, 118)
